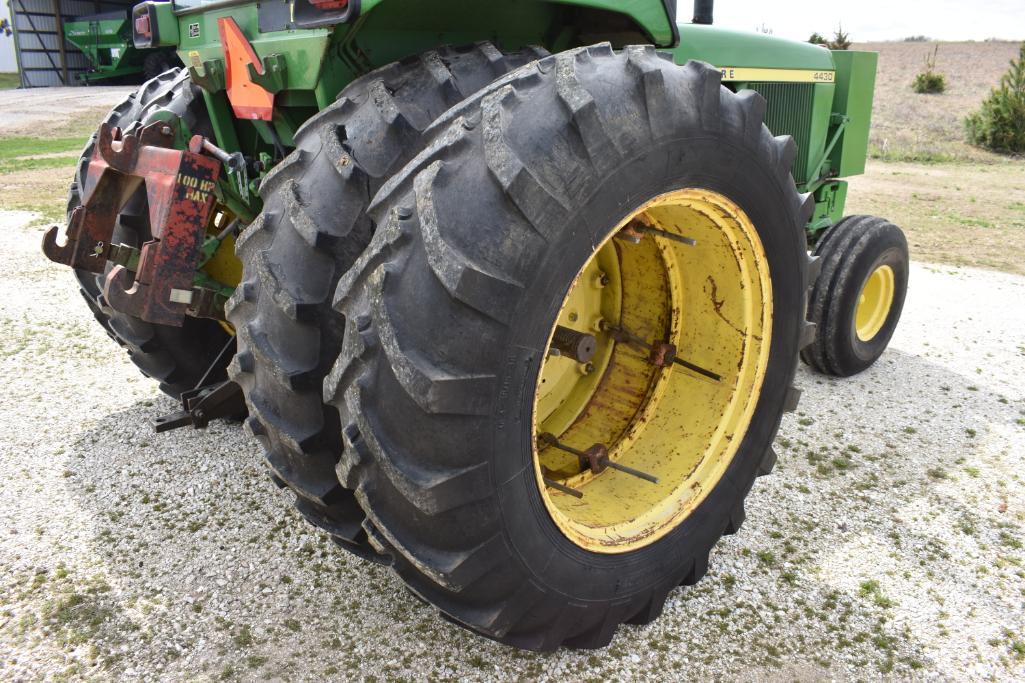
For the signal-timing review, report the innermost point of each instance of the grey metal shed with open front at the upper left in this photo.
(45, 58)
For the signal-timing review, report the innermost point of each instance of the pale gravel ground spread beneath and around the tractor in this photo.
(889, 541)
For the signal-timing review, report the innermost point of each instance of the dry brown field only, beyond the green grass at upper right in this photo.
(908, 127)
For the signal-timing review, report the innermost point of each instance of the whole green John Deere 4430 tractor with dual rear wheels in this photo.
(512, 293)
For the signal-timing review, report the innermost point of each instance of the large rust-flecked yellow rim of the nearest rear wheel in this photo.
(713, 302)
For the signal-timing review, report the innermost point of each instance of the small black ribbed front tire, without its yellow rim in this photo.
(850, 253)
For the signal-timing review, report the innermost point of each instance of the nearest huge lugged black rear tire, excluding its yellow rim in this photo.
(449, 310)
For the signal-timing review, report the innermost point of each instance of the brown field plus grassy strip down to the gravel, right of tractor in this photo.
(958, 205)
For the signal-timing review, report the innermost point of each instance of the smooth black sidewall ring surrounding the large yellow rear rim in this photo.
(711, 163)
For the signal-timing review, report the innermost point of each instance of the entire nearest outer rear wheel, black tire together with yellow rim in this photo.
(627, 212)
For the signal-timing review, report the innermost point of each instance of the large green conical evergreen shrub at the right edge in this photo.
(1000, 124)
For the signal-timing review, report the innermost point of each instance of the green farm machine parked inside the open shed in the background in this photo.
(107, 42)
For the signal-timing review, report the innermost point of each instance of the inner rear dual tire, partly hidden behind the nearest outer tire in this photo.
(313, 228)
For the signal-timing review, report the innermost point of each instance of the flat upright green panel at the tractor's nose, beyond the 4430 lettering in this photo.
(855, 92)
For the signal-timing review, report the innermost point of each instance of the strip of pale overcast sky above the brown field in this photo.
(875, 20)
